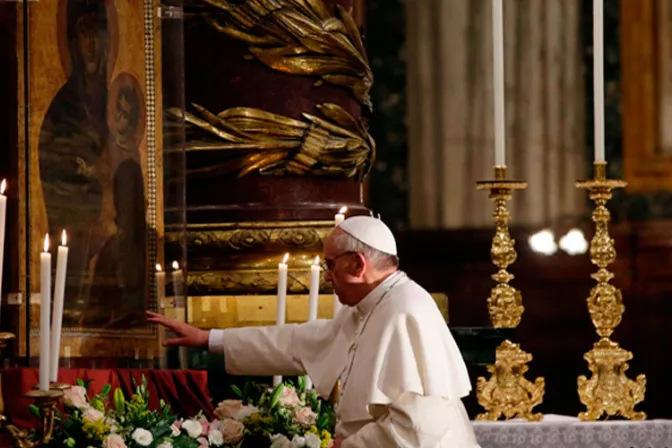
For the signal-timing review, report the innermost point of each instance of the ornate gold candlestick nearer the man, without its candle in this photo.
(507, 393)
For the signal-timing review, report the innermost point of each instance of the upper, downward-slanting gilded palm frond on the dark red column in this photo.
(300, 37)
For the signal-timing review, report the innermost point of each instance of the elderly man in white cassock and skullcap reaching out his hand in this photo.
(402, 375)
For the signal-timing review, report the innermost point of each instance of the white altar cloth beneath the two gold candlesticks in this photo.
(556, 431)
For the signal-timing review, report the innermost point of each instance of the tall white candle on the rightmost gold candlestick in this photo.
(598, 77)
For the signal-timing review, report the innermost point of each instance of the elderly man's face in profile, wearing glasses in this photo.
(342, 269)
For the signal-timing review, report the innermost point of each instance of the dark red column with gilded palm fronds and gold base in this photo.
(287, 151)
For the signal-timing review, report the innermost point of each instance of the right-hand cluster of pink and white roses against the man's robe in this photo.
(283, 417)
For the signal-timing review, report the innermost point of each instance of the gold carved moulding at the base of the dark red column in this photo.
(242, 258)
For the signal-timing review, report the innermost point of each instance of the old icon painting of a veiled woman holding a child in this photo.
(92, 157)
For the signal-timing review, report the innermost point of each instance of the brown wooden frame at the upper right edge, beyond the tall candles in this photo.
(645, 168)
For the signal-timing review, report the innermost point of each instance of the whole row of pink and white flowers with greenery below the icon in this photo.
(282, 417)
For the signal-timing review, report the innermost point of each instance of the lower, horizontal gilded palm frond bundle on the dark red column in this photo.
(256, 141)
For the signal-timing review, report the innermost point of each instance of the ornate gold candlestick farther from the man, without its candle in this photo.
(608, 391)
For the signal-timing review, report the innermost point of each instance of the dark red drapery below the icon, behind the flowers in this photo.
(186, 391)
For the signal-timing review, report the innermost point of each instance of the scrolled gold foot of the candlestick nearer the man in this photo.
(508, 393)
